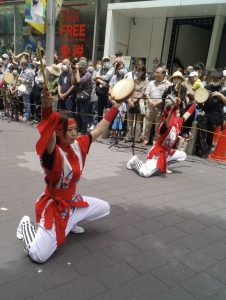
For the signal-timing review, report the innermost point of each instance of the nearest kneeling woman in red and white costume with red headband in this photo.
(60, 208)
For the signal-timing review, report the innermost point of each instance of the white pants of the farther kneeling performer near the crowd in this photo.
(148, 168)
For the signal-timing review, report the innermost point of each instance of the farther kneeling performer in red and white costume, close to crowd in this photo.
(163, 152)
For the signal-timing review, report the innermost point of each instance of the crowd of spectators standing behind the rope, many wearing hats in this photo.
(83, 88)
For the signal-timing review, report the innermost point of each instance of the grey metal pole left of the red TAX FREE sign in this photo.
(50, 31)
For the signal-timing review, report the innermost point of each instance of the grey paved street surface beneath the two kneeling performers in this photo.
(165, 238)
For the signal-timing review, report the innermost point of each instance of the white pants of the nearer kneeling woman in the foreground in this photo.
(45, 243)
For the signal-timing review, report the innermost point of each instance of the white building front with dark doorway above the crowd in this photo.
(177, 32)
